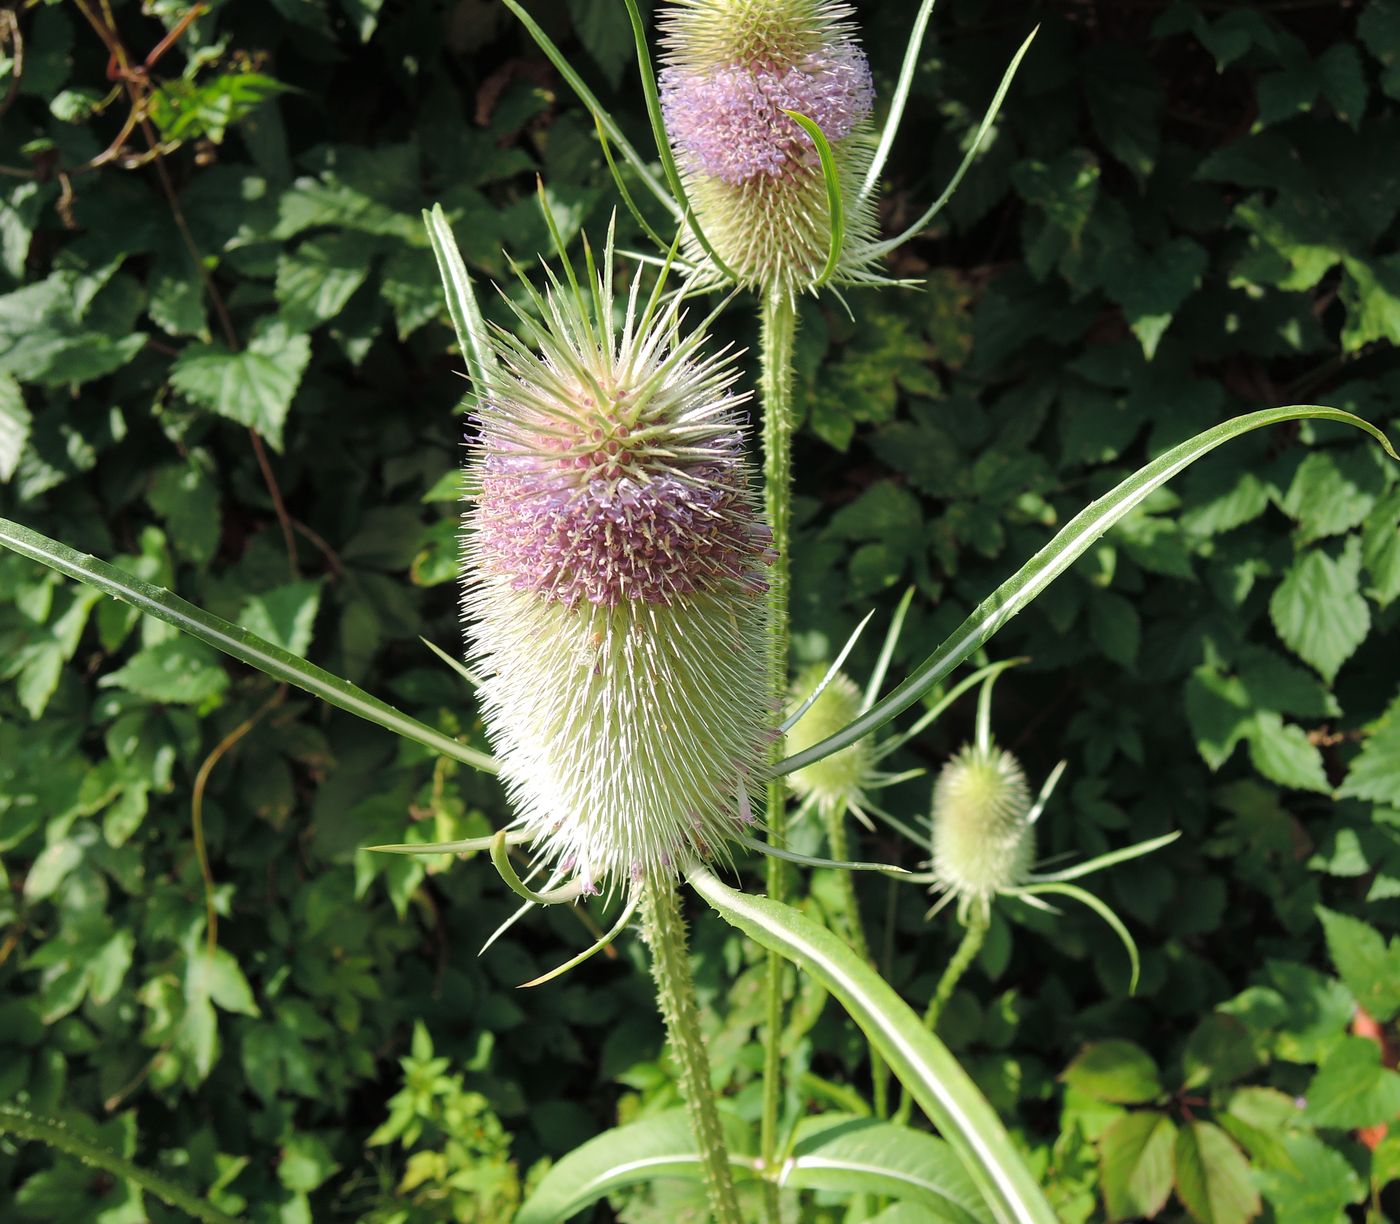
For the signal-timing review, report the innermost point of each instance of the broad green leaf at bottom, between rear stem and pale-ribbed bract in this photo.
(853, 1156)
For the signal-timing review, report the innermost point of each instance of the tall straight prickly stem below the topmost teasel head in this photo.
(779, 330)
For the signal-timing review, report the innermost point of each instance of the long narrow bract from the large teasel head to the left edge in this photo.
(233, 641)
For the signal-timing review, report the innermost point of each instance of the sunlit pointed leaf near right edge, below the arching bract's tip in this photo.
(1318, 610)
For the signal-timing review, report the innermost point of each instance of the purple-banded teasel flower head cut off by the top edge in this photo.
(752, 174)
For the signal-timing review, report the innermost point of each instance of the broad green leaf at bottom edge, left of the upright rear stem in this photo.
(656, 1148)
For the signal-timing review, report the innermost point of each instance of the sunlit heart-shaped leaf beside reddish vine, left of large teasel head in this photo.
(254, 387)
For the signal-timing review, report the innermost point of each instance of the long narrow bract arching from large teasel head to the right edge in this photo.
(1073, 541)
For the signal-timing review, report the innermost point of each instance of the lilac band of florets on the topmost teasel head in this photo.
(730, 124)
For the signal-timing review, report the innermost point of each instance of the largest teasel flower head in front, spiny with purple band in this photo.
(615, 585)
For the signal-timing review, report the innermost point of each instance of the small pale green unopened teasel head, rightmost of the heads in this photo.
(983, 841)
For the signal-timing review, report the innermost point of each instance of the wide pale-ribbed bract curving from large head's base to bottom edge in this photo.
(918, 1058)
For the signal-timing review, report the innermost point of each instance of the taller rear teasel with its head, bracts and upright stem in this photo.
(762, 118)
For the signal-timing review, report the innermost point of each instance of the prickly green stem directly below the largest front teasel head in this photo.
(666, 933)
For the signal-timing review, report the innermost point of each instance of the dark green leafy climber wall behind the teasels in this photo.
(225, 363)
